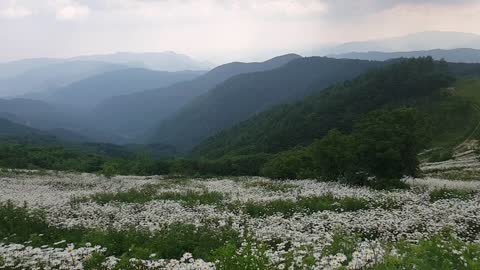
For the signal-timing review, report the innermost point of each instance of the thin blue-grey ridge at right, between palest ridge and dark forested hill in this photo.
(454, 55)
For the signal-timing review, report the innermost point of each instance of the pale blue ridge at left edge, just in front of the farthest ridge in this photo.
(51, 76)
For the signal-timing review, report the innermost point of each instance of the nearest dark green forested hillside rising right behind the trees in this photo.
(337, 107)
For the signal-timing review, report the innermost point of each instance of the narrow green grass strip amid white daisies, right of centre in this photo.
(305, 204)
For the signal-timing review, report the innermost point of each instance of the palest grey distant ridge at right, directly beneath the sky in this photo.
(412, 42)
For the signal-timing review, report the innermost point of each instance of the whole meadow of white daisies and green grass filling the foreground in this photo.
(83, 221)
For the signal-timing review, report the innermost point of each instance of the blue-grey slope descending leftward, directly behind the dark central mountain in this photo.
(132, 115)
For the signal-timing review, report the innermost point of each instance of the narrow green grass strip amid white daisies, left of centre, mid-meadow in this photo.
(150, 193)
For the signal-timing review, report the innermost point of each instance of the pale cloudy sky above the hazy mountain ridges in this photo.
(216, 30)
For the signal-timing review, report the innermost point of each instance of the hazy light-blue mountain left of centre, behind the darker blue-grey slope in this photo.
(87, 93)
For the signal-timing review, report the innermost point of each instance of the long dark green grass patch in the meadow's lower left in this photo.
(18, 225)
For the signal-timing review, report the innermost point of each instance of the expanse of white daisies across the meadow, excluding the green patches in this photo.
(408, 215)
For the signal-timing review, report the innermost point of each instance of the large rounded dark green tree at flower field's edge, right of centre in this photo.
(389, 142)
